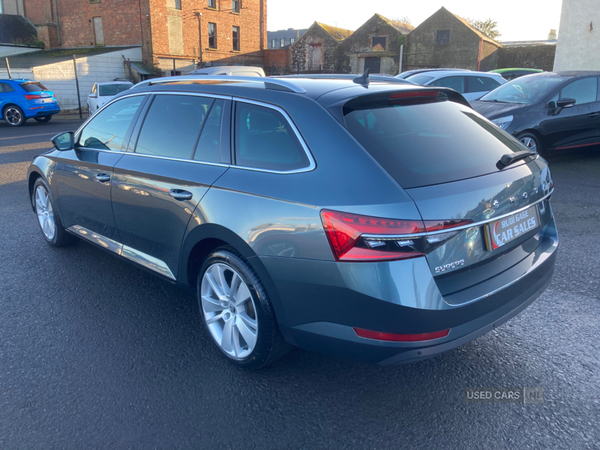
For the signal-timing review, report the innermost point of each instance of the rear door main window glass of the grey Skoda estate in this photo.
(172, 125)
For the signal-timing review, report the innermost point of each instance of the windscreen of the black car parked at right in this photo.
(525, 90)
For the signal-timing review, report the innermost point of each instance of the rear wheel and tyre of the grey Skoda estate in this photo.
(237, 313)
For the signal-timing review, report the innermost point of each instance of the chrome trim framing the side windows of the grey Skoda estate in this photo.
(312, 164)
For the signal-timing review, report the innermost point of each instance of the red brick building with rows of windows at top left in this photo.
(173, 33)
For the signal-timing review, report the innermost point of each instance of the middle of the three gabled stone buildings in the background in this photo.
(375, 45)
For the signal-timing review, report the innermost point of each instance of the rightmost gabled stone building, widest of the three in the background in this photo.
(446, 40)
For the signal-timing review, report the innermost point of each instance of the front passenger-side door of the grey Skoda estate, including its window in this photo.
(83, 175)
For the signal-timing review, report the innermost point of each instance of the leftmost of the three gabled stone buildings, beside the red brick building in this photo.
(318, 50)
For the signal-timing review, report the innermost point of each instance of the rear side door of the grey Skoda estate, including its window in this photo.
(179, 150)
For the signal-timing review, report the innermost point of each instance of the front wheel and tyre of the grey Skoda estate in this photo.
(47, 216)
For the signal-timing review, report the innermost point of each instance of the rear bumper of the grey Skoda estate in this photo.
(319, 303)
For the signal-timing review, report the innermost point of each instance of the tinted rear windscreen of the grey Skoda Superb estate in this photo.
(431, 143)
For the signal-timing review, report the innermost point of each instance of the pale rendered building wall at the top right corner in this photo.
(578, 45)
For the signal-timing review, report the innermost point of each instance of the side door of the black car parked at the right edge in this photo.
(577, 125)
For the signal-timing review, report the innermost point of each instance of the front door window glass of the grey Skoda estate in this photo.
(107, 130)
